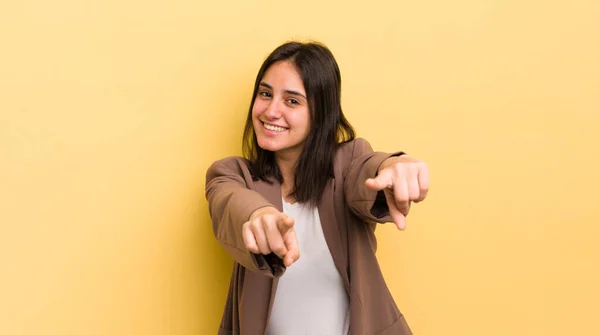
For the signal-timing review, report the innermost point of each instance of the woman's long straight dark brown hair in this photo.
(328, 127)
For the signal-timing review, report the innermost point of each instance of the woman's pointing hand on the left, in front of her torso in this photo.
(270, 230)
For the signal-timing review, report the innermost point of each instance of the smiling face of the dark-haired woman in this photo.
(280, 113)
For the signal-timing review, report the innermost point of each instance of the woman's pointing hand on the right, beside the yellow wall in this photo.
(403, 179)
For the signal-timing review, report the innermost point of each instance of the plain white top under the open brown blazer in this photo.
(310, 298)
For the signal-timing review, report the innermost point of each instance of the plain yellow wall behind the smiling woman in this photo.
(111, 112)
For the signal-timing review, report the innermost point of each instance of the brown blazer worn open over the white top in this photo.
(348, 212)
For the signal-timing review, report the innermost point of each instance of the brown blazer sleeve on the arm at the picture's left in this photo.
(231, 200)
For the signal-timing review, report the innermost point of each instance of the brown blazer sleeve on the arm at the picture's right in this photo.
(369, 205)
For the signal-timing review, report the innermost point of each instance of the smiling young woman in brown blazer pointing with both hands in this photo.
(298, 213)
